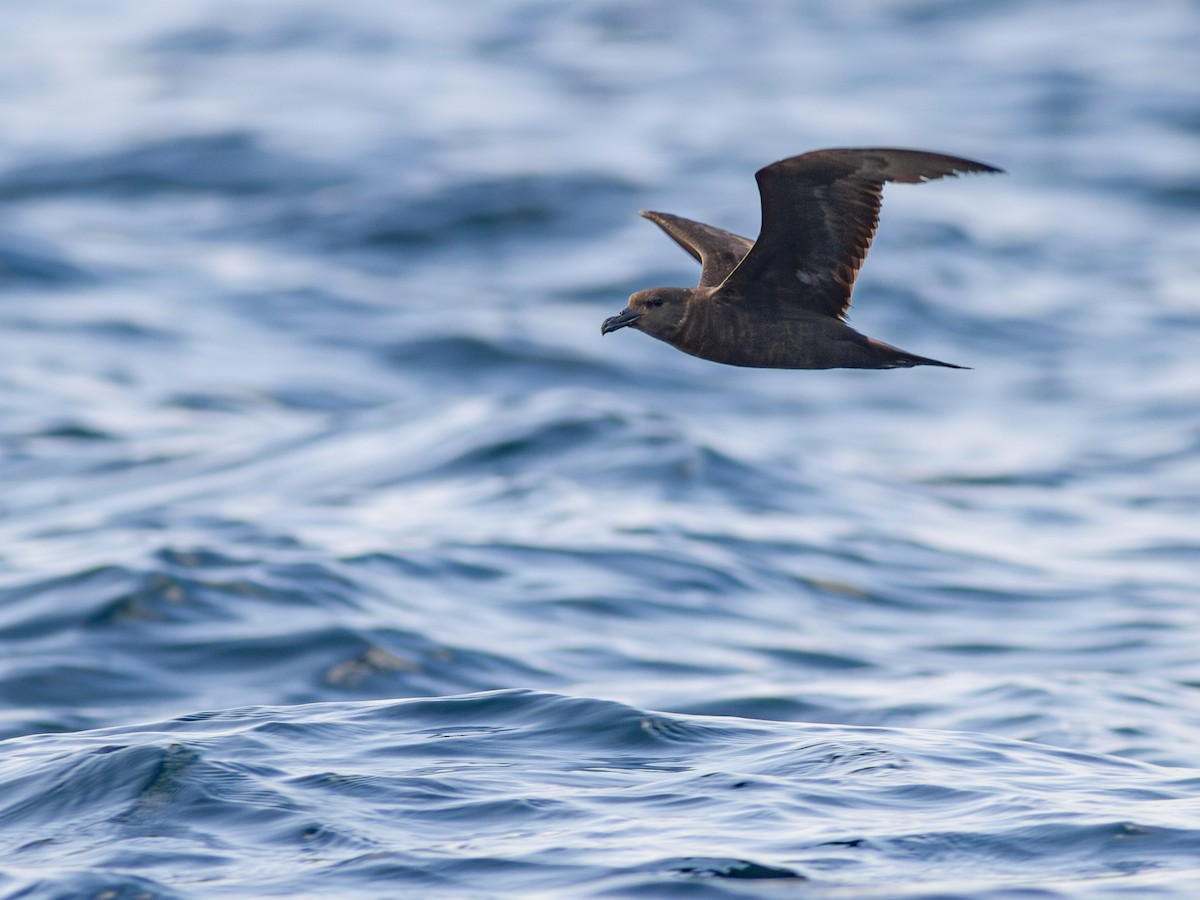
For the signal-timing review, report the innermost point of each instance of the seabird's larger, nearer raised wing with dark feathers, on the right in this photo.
(819, 215)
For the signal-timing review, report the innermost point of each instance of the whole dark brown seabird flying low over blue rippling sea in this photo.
(781, 302)
